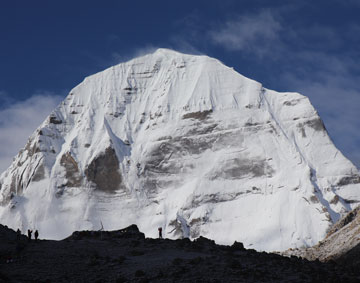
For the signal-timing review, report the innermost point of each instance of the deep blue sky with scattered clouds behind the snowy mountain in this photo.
(48, 47)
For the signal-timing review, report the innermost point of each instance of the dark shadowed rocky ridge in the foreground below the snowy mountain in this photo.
(127, 256)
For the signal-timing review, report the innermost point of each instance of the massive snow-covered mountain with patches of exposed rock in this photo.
(186, 143)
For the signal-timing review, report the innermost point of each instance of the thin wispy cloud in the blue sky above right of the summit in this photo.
(257, 33)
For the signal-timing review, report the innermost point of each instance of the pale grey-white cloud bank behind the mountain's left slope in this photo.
(19, 120)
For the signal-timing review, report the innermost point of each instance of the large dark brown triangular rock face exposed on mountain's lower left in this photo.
(104, 171)
